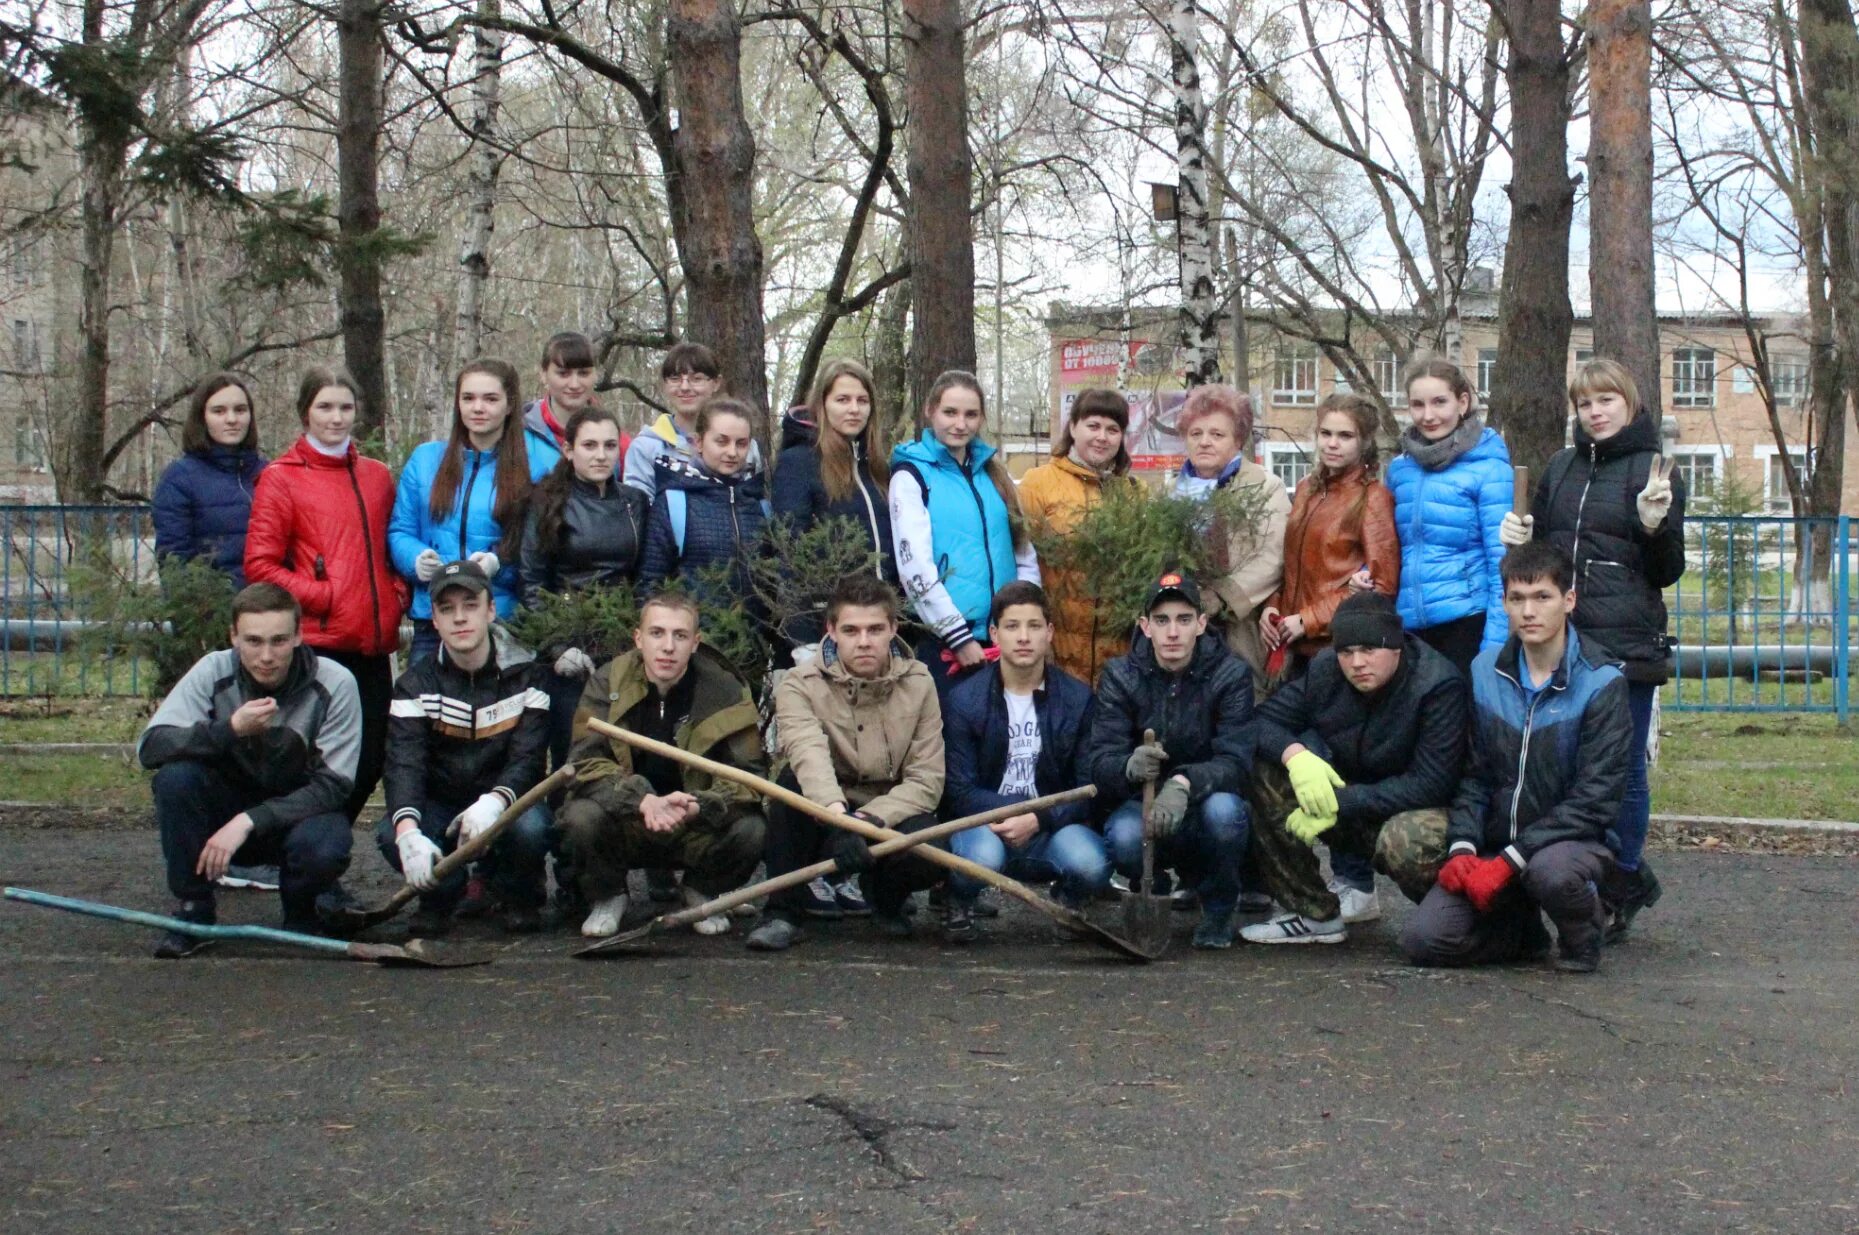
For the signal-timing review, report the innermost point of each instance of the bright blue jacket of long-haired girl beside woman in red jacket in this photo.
(468, 527)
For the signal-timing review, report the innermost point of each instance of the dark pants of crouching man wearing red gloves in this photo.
(1562, 881)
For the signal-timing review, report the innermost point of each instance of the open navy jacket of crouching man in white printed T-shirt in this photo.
(975, 745)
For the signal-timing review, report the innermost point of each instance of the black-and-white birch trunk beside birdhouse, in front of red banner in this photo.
(1200, 315)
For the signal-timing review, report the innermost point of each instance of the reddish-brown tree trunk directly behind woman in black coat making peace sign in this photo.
(1620, 200)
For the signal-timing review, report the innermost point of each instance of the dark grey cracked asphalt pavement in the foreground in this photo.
(1702, 1082)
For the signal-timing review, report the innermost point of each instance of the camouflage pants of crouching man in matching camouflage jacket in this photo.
(607, 845)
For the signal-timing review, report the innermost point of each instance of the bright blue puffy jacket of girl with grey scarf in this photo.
(1449, 538)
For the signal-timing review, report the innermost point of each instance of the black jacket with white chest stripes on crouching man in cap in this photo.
(456, 736)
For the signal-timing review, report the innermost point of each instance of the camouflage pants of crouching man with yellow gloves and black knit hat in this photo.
(1408, 847)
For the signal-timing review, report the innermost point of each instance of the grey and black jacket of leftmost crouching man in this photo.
(304, 760)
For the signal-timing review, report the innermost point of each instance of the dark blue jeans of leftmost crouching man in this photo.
(194, 801)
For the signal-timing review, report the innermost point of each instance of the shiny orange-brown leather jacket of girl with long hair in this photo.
(1336, 529)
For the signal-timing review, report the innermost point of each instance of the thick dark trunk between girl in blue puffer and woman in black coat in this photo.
(1535, 315)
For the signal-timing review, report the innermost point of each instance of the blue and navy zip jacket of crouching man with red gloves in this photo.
(1546, 765)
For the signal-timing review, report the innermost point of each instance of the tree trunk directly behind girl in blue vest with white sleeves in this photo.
(940, 226)
